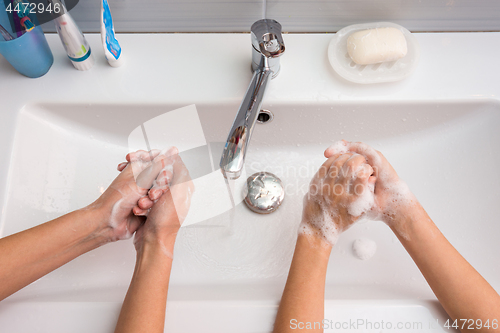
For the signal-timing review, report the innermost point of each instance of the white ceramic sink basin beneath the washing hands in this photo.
(229, 270)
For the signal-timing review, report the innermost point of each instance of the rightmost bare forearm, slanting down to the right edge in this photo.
(461, 290)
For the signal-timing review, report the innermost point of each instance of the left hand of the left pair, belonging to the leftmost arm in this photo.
(115, 206)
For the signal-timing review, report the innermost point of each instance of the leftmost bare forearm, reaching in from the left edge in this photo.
(31, 254)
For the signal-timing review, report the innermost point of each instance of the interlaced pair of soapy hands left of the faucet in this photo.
(150, 197)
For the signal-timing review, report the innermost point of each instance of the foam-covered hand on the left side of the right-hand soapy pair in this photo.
(339, 194)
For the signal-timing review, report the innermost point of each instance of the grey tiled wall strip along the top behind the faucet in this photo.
(294, 15)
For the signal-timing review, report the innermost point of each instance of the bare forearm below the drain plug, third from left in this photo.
(303, 297)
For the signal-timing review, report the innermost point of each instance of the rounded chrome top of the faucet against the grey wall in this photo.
(267, 38)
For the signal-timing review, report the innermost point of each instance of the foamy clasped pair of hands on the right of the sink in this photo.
(356, 180)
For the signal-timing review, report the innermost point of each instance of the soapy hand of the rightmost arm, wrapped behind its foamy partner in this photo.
(394, 202)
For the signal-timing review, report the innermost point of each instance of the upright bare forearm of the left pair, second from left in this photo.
(144, 306)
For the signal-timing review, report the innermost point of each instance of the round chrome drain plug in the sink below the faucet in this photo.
(264, 192)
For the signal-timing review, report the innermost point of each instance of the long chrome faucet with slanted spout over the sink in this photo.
(267, 47)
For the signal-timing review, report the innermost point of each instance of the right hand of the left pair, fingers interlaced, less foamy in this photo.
(169, 211)
